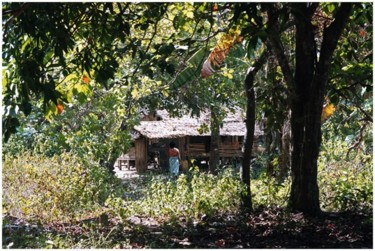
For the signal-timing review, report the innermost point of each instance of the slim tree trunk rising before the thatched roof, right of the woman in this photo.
(215, 141)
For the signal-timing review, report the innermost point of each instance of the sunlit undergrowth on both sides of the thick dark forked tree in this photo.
(345, 179)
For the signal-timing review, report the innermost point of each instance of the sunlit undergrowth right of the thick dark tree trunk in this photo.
(345, 180)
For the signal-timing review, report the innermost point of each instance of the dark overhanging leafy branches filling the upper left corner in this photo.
(73, 39)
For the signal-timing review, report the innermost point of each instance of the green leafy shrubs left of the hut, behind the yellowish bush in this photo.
(85, 130)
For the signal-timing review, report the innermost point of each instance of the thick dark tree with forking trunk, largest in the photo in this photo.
(307, 87)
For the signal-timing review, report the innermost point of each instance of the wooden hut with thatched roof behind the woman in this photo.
(154, 134)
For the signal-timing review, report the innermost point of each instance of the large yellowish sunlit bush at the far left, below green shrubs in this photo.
(61, 188)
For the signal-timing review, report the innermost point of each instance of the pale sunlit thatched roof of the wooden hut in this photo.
(169, 127)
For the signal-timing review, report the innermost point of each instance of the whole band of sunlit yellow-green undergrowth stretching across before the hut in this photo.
(344, 186)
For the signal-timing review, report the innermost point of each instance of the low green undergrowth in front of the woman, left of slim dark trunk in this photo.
(190, 196)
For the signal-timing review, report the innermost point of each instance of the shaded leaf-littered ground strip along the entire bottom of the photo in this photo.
(264, 228)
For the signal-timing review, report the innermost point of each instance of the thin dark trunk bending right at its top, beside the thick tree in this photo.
(250, 127)
